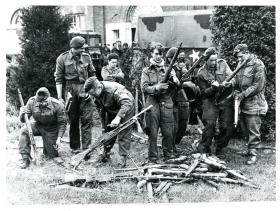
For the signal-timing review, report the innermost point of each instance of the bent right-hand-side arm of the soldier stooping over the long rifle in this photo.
(124, 101)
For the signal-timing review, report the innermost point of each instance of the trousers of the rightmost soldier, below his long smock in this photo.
(250, 125)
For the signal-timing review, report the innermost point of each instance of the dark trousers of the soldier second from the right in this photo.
(225, 115)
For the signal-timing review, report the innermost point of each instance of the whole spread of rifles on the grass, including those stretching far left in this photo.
(157, 179)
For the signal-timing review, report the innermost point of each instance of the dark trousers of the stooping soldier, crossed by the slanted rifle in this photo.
(124, 137)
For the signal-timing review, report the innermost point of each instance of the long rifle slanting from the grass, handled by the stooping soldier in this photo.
(105, 138)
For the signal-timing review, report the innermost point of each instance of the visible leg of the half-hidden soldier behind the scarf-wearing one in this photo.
(182, 121)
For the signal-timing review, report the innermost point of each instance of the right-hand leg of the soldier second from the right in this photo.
(226, 126)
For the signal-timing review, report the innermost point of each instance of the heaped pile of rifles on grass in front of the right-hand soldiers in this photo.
(186, 169)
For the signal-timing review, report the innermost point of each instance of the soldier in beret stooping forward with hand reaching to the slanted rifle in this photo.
(115, 105)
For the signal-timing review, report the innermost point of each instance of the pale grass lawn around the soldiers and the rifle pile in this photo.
(31, 186)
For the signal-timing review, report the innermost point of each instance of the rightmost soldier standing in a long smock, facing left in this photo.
(250, 86)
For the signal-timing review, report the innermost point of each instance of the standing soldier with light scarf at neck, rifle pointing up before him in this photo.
(161, 114)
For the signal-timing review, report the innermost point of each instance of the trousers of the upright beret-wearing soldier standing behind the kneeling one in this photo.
(80, 117)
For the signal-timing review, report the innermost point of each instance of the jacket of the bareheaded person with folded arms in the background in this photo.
(112, 74)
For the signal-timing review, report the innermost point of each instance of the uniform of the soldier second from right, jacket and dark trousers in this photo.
(211, 111)
